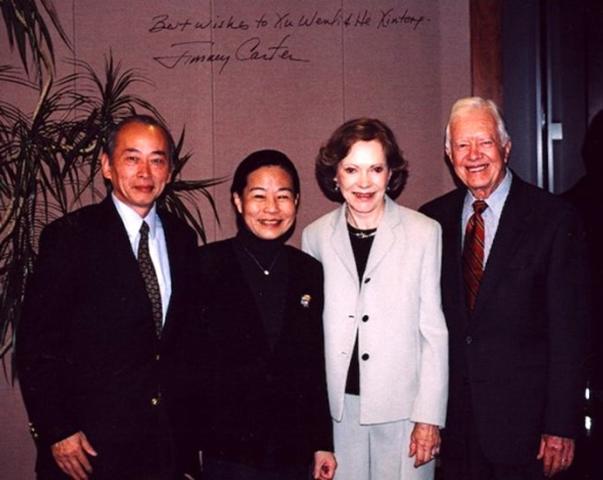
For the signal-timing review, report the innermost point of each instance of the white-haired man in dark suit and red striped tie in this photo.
(514, 293)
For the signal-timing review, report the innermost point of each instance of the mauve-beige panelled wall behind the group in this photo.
(407, 73)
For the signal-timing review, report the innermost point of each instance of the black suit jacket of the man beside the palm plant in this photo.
(87, 353)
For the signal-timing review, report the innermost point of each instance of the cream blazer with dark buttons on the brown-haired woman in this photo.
(402, 335)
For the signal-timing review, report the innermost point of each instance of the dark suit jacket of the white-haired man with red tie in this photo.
(521, 351)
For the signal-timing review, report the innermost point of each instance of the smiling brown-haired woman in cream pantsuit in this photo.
(386, 341)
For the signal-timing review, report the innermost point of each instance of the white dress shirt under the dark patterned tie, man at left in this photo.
(157, 246)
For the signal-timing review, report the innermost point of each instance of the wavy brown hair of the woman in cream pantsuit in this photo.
(339, 145)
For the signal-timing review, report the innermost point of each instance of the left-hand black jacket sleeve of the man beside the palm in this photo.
(43, 361)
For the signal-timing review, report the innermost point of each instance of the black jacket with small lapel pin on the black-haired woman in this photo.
(260, 396)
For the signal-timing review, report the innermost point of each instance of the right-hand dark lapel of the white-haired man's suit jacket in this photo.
(513, 221)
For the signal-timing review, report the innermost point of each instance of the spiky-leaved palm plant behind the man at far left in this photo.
(49, 159)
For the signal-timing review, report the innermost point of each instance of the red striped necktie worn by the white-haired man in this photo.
(473, 253)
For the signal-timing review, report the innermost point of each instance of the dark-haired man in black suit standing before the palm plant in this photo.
(102, 321)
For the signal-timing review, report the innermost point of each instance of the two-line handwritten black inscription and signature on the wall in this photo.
(255, 48)
